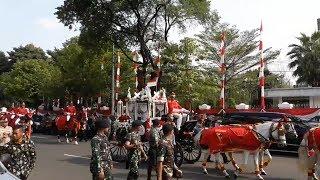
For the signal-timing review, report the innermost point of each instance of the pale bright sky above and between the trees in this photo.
(33, 21)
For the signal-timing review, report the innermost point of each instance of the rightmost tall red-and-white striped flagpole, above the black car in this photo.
(261, 72)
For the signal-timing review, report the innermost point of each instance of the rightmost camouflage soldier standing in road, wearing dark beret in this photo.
(165, 157)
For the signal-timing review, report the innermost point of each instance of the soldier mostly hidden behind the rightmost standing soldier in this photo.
(153, 143)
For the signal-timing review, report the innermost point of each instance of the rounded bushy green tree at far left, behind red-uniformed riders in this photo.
(31, 80)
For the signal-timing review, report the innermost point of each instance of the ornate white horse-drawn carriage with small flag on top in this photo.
(141, 107)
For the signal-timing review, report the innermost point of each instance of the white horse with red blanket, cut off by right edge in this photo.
(309, 158)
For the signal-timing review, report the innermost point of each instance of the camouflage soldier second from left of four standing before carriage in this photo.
(132, 144)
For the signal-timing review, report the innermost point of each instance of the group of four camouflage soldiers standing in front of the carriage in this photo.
(160, 156)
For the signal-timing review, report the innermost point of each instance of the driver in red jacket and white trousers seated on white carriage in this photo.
(176, 110)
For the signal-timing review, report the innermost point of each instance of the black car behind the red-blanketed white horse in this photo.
(259, 117)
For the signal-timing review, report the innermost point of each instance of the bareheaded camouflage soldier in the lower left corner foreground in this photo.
(22, 154)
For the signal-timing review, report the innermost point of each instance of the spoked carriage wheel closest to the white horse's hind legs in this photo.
(191, 153)
